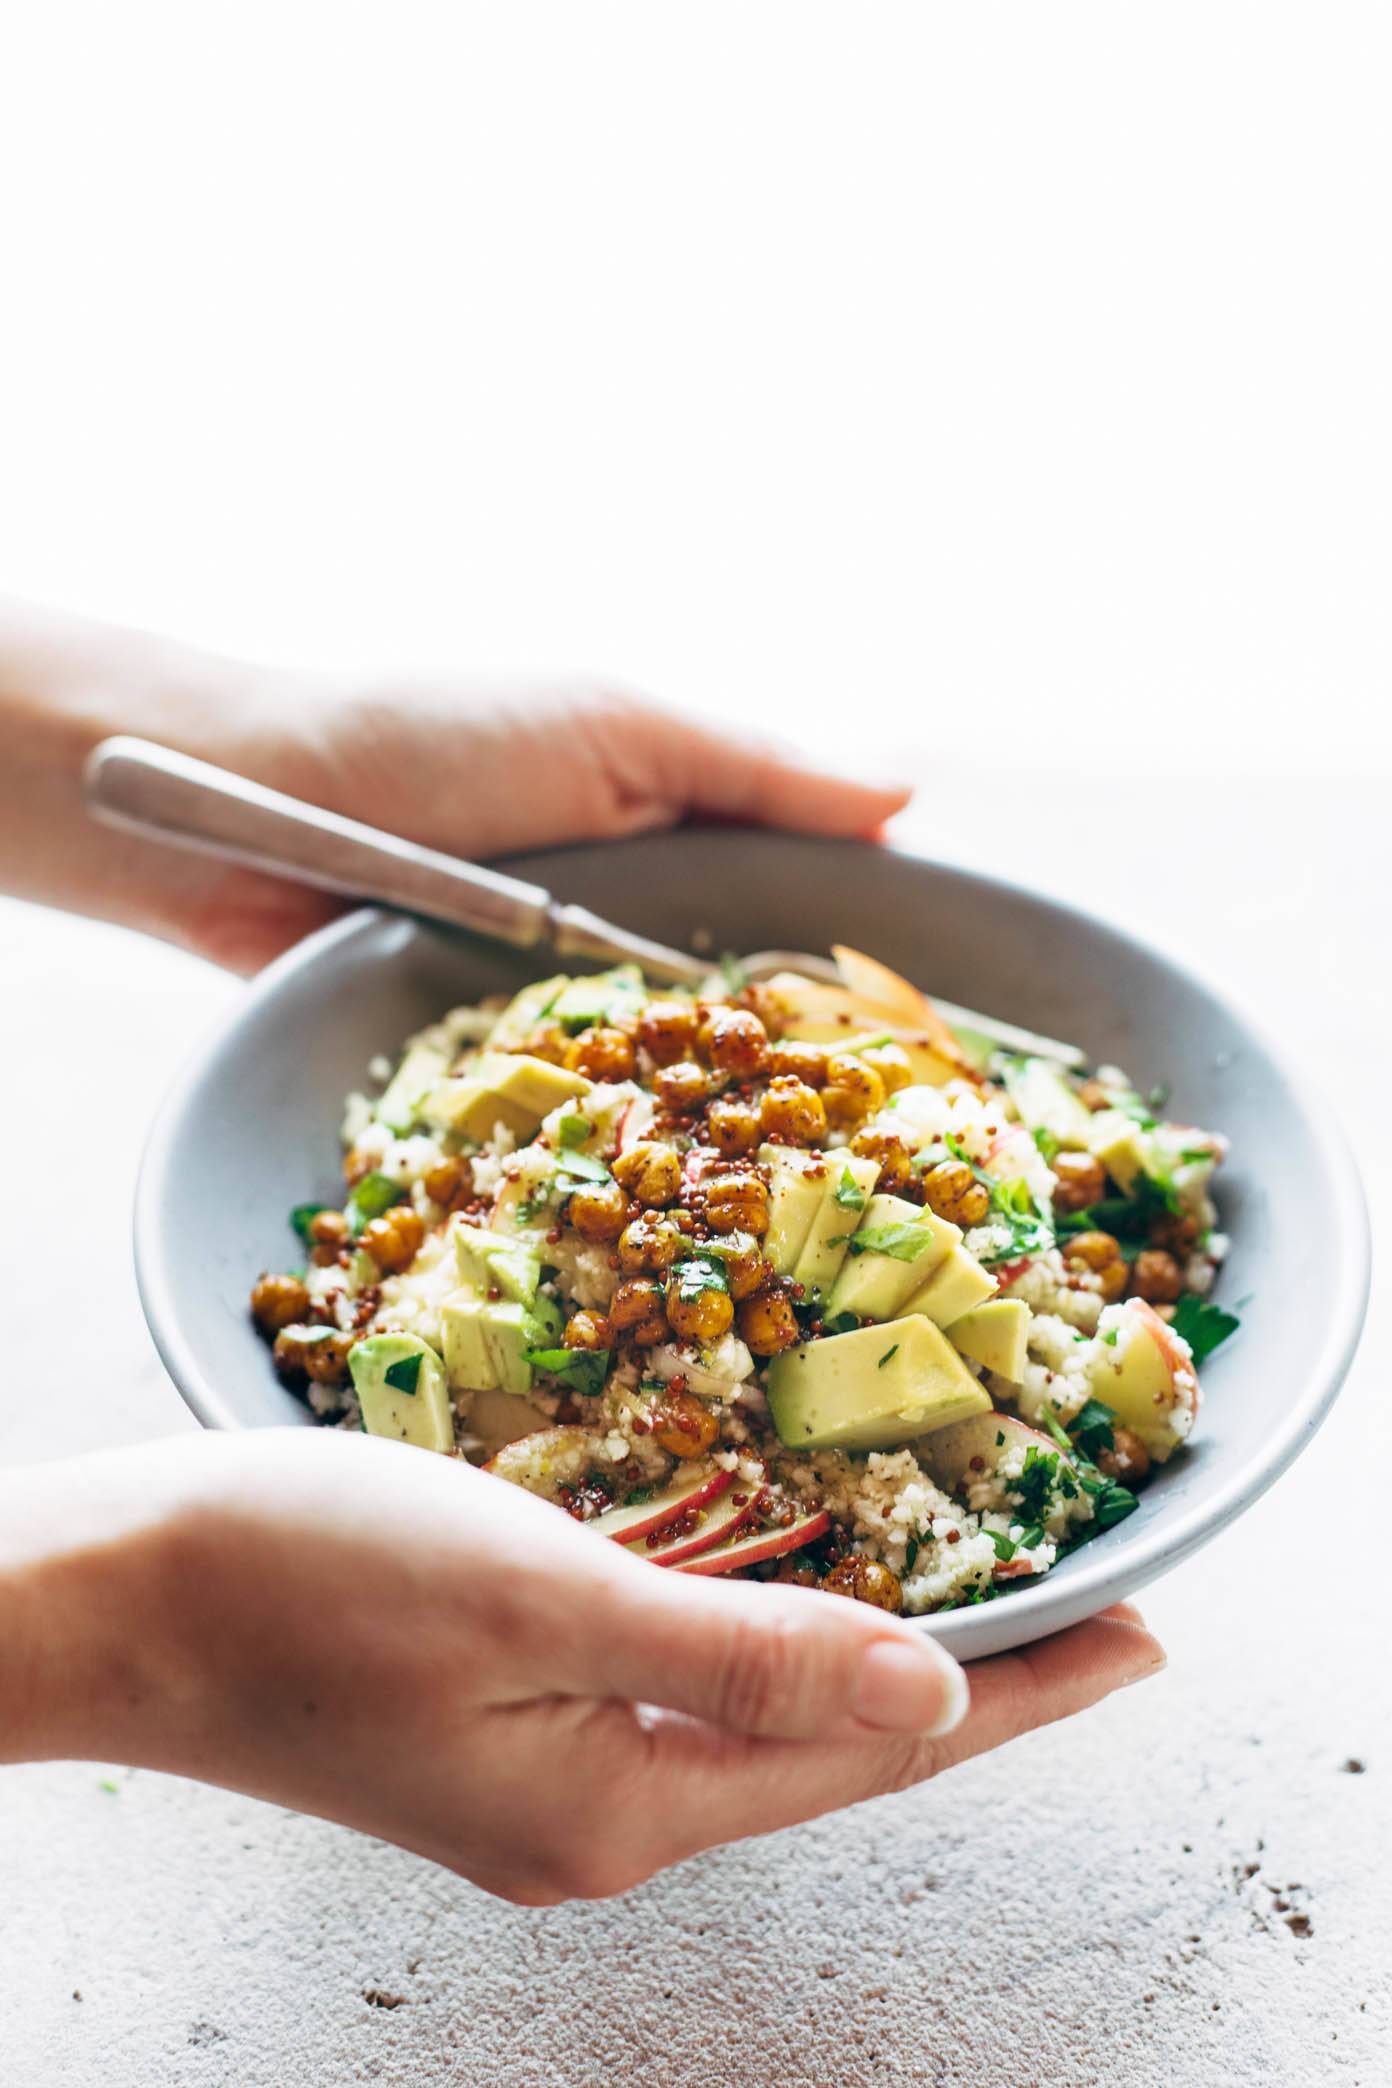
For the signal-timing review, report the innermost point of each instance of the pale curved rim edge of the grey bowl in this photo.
(1051, 1603)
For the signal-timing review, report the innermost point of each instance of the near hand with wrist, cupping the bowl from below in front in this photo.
(408, 1646)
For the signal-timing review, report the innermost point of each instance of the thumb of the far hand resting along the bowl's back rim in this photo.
(686, 767)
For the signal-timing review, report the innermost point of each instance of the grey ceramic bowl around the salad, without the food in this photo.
(254, 1131)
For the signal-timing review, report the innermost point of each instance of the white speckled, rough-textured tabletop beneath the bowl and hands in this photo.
(1189, 1887)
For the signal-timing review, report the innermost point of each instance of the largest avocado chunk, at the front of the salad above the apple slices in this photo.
(871, 1390)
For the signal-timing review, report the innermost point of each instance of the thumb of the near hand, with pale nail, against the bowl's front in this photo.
(773, 1661)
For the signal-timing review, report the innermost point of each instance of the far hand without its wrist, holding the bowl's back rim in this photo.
(475, 774)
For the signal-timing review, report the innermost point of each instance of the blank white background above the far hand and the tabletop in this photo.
(944, 375)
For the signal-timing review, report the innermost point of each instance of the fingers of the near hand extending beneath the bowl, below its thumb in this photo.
(719, 1786)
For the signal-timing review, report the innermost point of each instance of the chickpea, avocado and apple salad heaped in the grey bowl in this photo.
(784, 1279)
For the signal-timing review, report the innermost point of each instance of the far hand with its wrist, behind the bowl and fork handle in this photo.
(471, 772)
